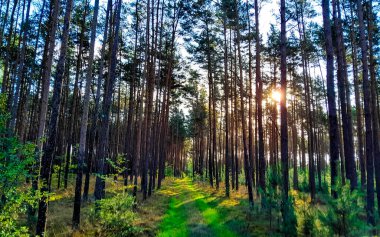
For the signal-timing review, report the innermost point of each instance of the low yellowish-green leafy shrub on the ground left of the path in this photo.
(115, 215)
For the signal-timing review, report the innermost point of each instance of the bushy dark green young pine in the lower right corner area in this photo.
(345, 215)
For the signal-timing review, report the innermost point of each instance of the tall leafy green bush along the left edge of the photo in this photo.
(15, 160)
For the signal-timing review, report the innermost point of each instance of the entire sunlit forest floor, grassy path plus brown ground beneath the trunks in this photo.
(182, 207)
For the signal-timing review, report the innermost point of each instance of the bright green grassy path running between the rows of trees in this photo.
(192, 212)
